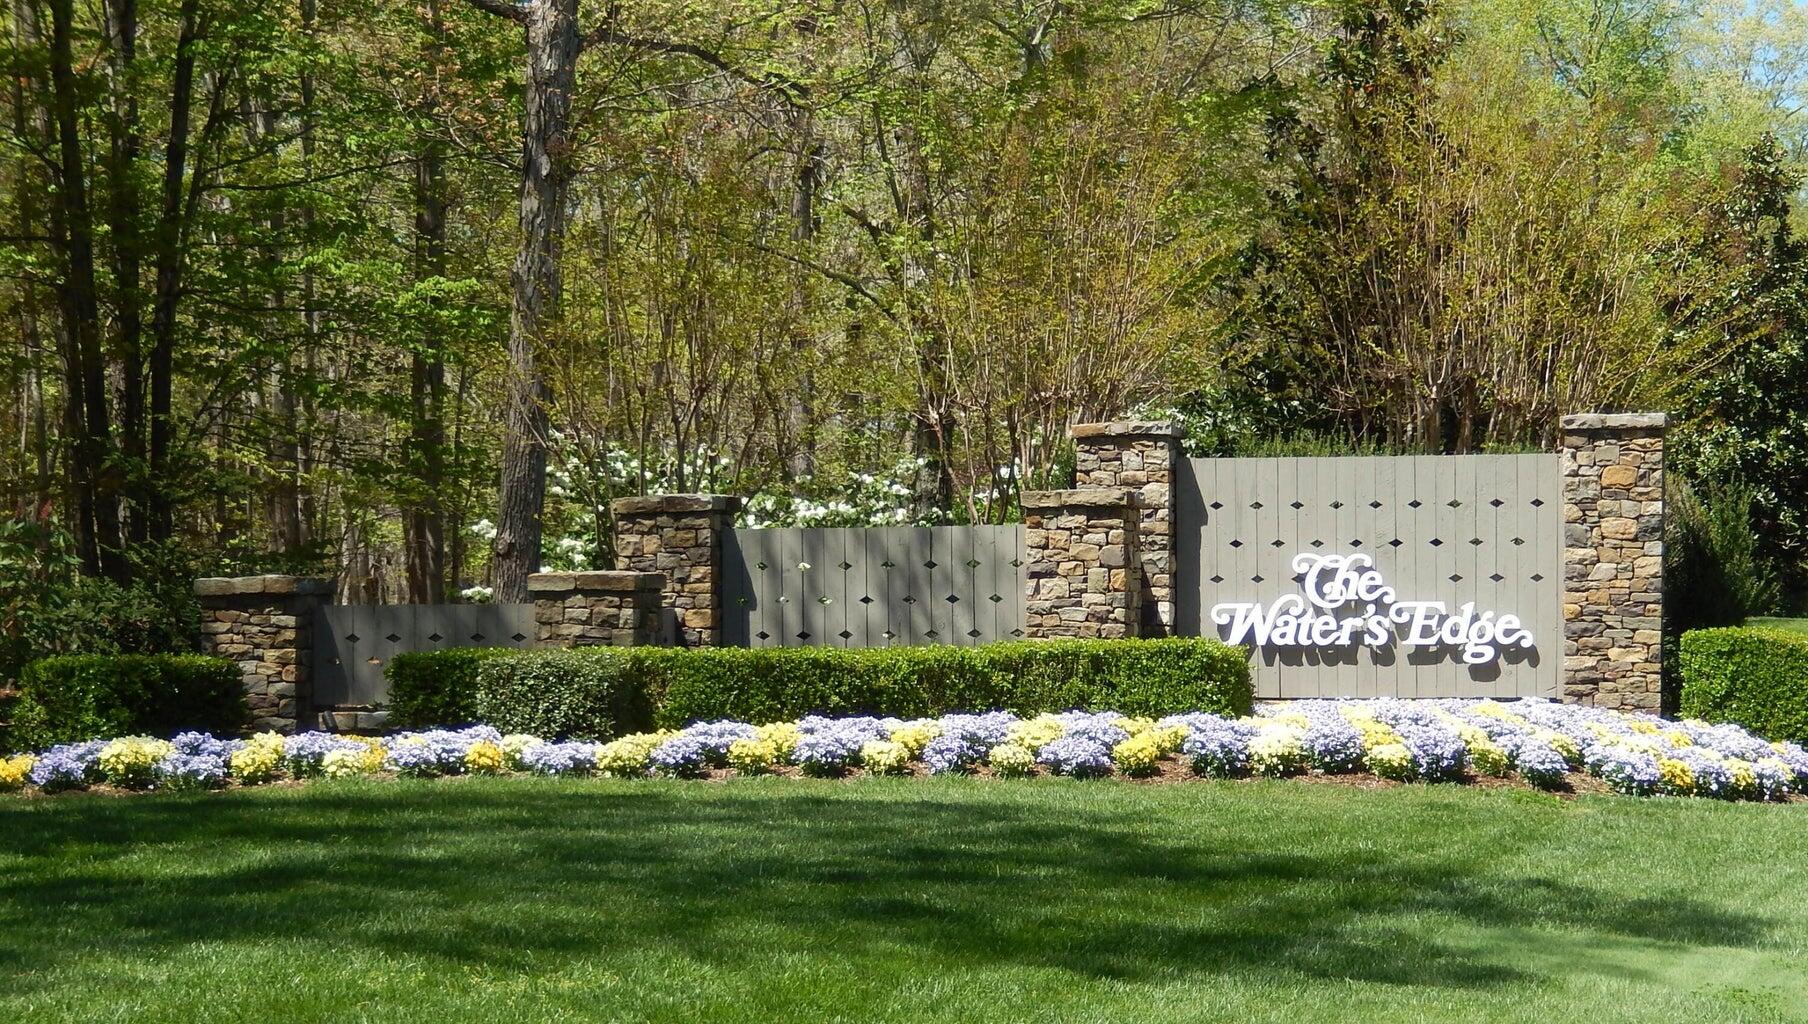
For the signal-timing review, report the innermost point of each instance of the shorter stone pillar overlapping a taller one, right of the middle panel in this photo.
(1082, 564)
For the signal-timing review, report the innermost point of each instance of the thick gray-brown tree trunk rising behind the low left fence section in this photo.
(554, 46)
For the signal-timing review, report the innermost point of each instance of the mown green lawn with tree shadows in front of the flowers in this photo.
(899, 900)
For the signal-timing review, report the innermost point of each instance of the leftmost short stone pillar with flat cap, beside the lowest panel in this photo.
(267, 623)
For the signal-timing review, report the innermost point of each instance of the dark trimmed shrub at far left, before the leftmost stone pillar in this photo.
(88, 697)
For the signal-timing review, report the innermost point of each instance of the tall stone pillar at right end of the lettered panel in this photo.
(1614, 560)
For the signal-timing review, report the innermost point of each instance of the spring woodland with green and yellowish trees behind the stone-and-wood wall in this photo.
(406, 292)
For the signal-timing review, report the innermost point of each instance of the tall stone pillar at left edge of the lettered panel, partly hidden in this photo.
(1142, 457)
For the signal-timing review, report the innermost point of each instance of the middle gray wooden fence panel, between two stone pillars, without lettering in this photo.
(872, 587)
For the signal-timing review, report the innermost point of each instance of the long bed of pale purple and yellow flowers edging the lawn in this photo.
(1411, 741)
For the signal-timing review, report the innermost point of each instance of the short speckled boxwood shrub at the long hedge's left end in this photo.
(592, 694)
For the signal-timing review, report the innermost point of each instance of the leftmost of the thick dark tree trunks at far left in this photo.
(97, 486)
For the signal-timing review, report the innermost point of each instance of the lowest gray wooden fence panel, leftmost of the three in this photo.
(355, 641)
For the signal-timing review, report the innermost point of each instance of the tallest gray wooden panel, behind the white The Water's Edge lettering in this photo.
(1451, 529)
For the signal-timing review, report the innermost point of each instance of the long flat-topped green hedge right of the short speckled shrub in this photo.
(775, 685)
